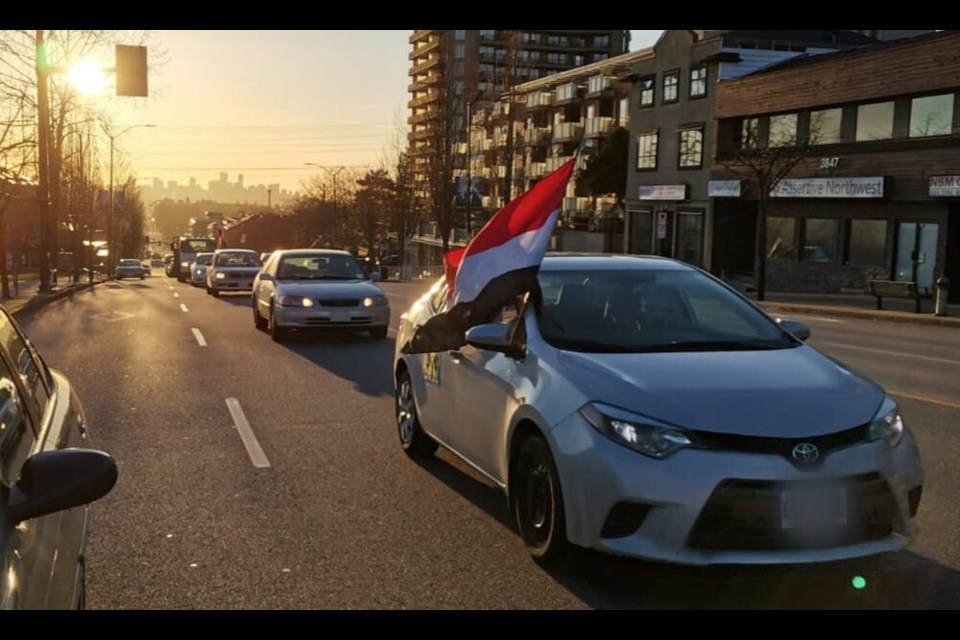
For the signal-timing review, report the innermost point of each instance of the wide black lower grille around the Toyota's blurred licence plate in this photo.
(745, 515)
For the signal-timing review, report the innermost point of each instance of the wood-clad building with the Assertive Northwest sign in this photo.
(876, 194)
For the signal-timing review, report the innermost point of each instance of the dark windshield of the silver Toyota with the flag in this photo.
(645, 311)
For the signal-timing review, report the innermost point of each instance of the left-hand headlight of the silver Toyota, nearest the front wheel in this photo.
(645, 435)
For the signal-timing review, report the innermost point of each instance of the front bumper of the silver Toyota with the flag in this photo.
(701, 507)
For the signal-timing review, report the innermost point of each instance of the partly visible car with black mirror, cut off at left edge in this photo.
(50, 474)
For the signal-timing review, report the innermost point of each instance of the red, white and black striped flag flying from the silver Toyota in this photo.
(502, 261)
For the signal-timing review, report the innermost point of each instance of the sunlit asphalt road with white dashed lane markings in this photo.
(255, 475)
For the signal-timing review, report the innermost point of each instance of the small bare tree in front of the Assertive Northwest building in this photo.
(763, 162)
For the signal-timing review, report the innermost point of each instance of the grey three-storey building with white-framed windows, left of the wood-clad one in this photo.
(672, 101)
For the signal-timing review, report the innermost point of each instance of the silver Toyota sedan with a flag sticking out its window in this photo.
(641, 407)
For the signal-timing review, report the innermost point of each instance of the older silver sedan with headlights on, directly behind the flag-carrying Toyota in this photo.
(318, 289)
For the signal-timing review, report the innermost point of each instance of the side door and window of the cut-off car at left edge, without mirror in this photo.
(46, 550)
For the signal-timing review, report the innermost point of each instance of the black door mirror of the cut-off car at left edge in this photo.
(52, 481)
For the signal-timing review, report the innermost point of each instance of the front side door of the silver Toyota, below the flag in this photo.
(488, 387)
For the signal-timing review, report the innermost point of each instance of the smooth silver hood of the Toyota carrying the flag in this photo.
(787, 393)
